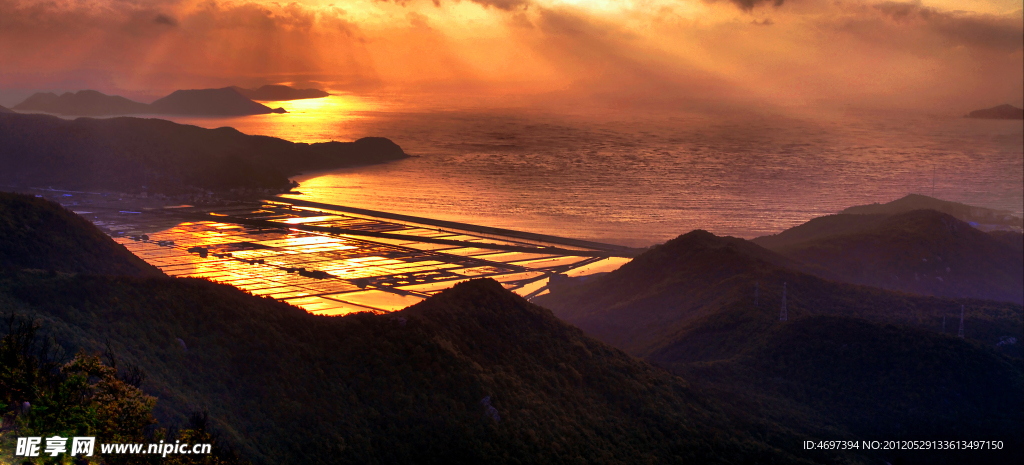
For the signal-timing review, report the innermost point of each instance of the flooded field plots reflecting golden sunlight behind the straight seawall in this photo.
(335, 263)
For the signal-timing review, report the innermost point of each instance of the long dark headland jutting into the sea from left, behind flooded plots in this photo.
(126, 154)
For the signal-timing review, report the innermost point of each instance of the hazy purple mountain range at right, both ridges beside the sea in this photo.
(924, 252)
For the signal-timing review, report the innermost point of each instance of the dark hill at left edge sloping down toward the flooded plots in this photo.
(40, 235)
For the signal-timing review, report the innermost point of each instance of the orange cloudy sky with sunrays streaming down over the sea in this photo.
(947, 55)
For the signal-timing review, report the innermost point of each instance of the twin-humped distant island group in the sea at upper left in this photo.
(226, 102)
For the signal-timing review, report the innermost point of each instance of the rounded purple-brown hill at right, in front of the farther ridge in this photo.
(922, 252)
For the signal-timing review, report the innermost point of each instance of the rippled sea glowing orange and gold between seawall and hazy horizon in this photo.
(644, 180)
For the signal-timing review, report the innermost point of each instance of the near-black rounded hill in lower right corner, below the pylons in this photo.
(872, 381)
